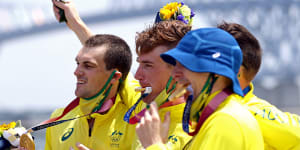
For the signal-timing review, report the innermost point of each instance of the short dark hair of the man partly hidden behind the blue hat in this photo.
(252, 53)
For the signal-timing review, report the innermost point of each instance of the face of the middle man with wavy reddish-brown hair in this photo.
(153, 72)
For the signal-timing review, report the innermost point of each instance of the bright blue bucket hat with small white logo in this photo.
(208, 50)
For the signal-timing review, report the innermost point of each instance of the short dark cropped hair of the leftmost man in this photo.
(117, 55)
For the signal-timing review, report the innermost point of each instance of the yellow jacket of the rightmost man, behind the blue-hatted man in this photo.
(281, 130)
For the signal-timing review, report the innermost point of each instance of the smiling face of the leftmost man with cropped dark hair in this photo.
(90, 72)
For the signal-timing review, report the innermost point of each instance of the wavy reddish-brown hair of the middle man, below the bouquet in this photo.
(167, 33)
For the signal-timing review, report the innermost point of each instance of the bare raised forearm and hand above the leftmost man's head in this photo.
(74, 21)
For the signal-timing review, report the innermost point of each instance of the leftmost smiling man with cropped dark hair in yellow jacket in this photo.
(102, 63)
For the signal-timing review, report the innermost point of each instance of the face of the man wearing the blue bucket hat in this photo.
(184, 76)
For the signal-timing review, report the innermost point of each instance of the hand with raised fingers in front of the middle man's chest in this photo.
(150, 130)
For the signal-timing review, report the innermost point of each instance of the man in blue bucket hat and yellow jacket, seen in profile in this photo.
(210, 59)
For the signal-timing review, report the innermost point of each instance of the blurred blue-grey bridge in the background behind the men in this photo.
(275, 24)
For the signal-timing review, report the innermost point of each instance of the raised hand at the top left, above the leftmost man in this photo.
(71, 13)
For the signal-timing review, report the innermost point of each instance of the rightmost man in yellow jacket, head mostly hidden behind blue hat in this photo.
(281, 130)
